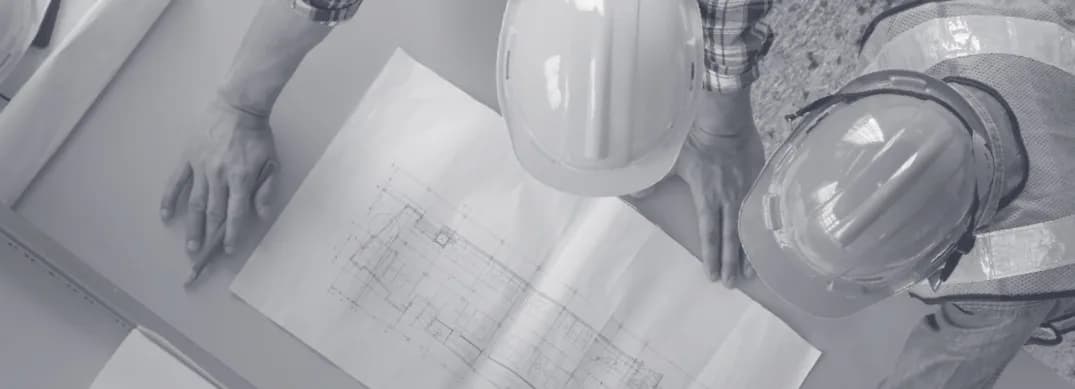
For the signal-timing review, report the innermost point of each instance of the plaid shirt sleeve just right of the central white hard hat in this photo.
(736, 40)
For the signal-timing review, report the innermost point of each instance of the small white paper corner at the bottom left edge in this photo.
(141, 364)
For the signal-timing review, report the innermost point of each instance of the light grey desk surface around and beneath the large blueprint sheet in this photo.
(99, 197)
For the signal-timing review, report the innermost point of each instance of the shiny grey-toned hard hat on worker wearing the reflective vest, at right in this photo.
(876, 191)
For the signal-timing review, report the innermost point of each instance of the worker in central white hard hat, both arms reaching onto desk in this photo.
(231, 164)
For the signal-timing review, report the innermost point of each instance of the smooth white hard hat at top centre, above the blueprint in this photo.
(599, 95)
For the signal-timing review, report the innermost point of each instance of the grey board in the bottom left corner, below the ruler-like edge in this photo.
(62, 322)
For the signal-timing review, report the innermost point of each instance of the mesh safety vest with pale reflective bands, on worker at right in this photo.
(1028, 55)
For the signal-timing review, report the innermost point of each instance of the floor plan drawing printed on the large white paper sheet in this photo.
(423, 279)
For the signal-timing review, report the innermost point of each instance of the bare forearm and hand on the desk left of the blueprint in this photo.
(231, 163)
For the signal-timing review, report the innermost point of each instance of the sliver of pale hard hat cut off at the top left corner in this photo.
(19, 20)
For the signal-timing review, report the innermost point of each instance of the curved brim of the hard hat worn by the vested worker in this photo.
(793, 281)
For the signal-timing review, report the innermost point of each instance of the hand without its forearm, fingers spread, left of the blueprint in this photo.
(230, 166)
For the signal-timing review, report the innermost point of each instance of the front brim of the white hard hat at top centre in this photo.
(642, 175)
